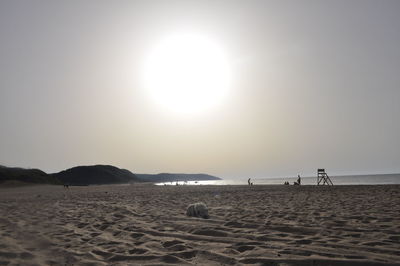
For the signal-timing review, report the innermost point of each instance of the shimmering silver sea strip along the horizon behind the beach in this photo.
(337, 180)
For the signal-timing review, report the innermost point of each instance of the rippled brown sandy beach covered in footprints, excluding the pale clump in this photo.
(147, 225)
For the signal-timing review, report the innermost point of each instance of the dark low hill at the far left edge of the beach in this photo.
(35, 176)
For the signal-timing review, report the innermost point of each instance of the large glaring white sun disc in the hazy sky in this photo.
(187, 73)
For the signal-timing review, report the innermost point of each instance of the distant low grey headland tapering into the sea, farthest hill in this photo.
(165, 177)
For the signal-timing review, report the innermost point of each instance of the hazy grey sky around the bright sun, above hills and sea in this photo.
(314, 84)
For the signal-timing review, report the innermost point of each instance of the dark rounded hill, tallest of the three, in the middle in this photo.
(96, 175)
